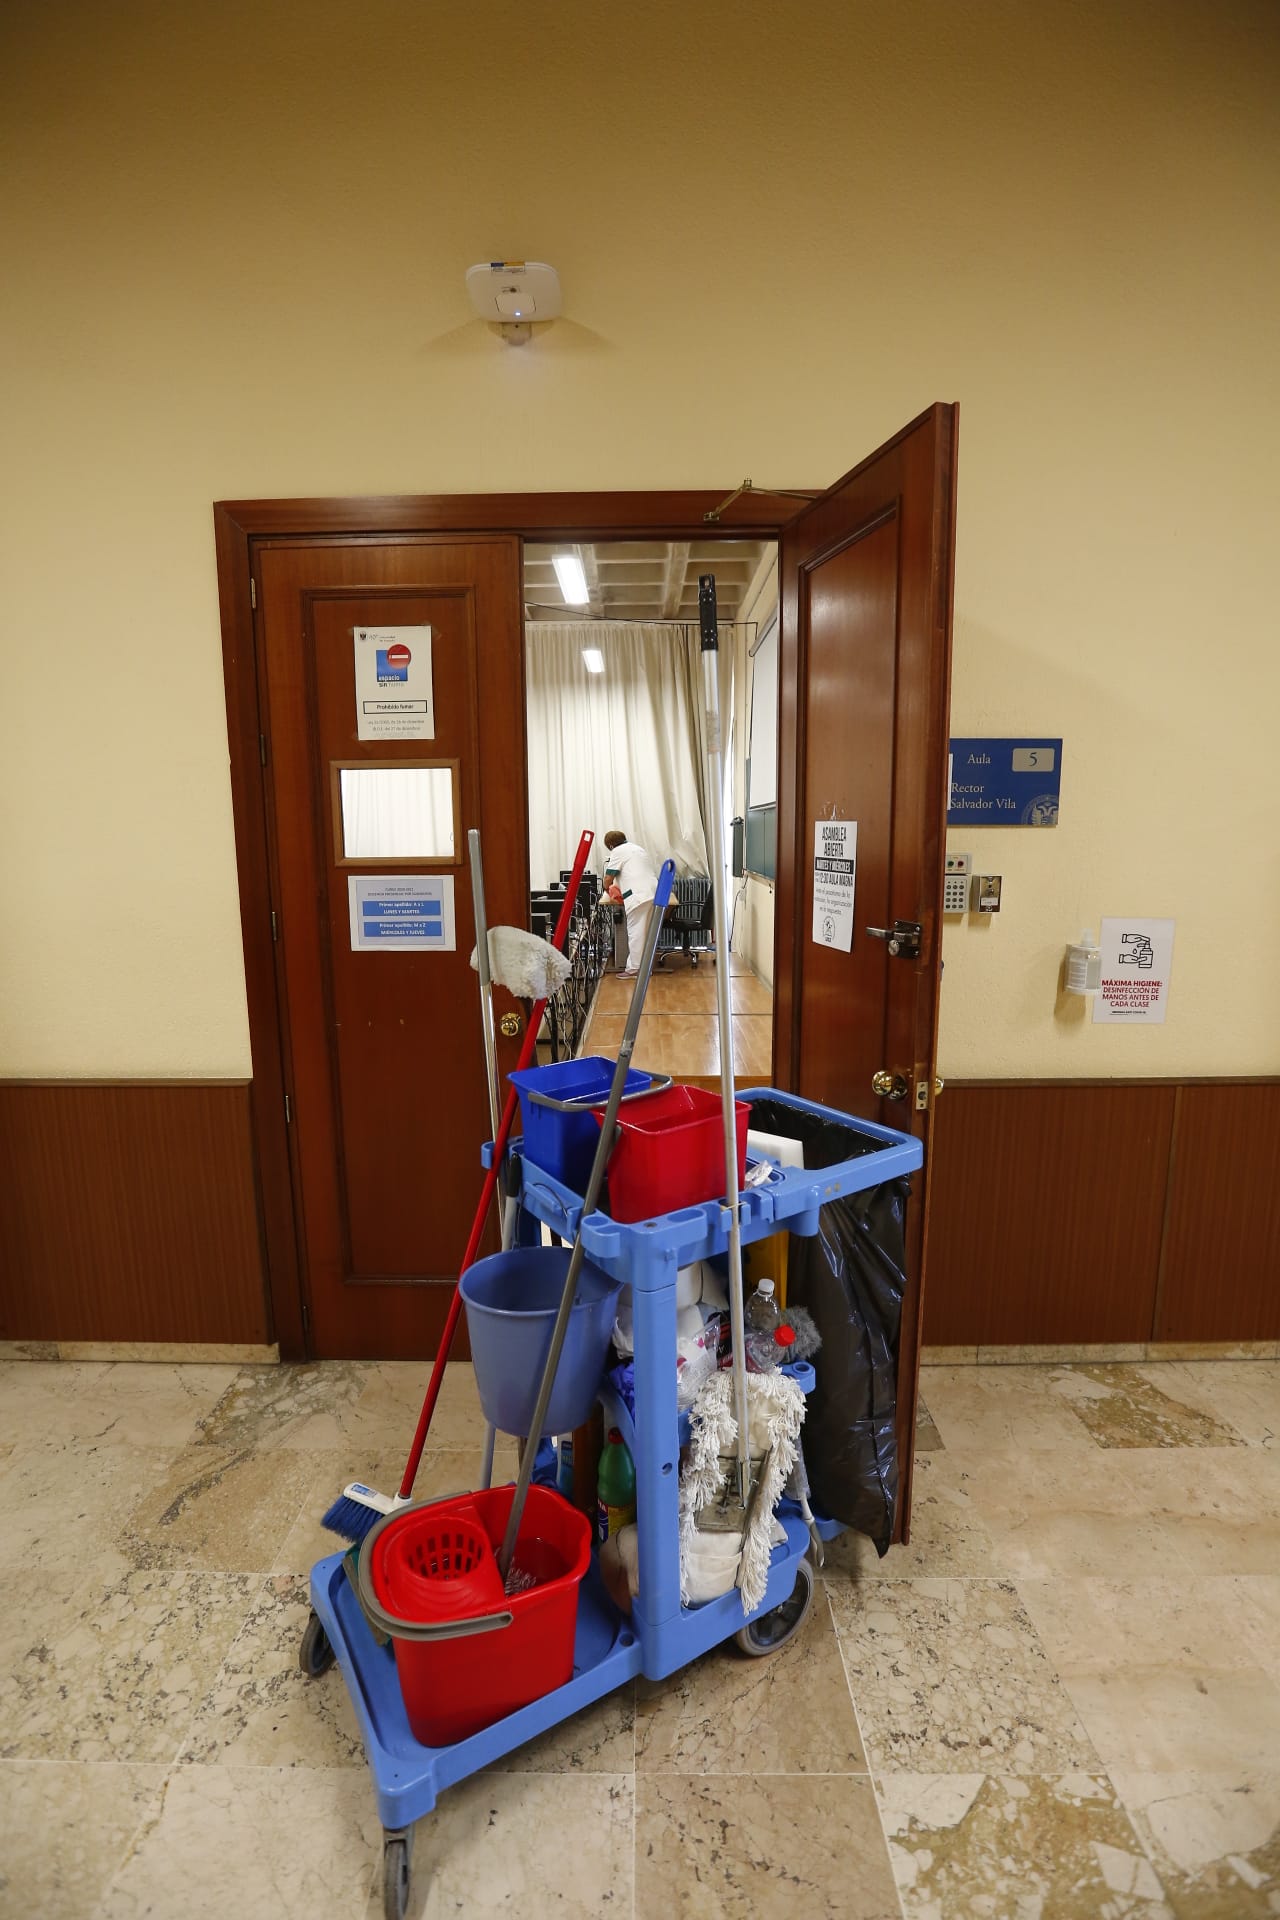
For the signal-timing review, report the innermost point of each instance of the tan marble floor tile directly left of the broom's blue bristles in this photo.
(218, 1510)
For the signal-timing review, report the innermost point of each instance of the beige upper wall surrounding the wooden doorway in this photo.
(235, 249)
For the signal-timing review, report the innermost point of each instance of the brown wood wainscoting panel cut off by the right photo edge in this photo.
(1221, 1270)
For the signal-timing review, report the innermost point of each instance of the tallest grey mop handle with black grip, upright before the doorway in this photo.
(709, 627)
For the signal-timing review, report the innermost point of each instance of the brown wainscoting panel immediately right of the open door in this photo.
(1047, 1212)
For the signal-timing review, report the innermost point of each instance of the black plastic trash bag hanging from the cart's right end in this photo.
(851, 1278)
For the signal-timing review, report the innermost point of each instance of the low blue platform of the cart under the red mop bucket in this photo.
(410, 1777)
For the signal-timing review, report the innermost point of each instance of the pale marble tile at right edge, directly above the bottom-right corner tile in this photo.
(1170, 1719)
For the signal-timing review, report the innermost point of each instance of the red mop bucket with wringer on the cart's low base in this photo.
(440, 1564)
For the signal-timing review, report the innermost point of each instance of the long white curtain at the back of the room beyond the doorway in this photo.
(615, 750)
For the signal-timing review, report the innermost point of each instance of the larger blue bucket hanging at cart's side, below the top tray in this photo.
(511, 1307)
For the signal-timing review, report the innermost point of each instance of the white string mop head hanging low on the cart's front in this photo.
(776, 1414)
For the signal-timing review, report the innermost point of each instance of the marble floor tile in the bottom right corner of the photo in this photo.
(1214, 1840)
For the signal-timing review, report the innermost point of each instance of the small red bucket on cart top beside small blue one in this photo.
(671, 1153)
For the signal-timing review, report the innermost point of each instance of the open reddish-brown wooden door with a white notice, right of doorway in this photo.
(865, 686)
